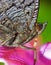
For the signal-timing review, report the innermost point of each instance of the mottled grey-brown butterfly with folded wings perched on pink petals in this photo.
(18, 22)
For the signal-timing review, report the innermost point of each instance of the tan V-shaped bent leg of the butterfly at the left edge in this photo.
(7, 32)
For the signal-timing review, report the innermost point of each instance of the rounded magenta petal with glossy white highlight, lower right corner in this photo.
(45, 53)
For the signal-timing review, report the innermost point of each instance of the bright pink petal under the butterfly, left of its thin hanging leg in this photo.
(17, 56)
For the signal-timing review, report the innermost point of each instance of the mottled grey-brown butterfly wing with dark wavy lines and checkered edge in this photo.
(19, 16)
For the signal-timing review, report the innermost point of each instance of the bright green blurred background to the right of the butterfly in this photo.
(45, 16)
